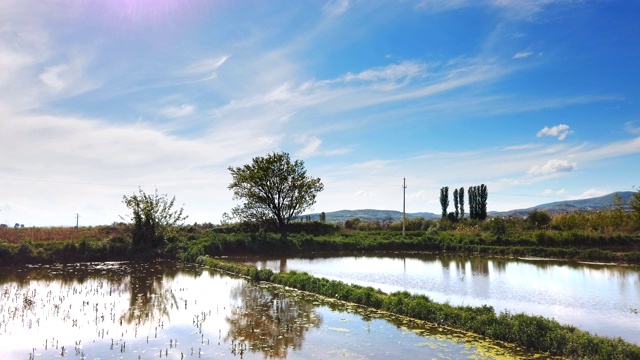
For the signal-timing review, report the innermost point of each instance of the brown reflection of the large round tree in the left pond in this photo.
(268, 322)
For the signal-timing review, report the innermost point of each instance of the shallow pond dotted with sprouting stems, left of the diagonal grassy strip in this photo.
(165, 310)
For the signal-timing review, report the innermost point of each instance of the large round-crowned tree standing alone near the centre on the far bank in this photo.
(273, 188)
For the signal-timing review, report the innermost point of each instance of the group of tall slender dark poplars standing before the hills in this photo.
(477, 195)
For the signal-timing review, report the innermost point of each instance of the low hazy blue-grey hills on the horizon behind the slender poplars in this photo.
(591, 204)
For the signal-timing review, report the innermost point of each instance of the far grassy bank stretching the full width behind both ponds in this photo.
(21, 246)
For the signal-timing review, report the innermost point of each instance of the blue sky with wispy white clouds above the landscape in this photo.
(537, 99)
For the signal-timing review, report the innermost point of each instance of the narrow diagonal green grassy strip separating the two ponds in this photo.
(535, 333)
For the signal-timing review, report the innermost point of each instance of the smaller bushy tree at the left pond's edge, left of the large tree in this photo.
(153, 217)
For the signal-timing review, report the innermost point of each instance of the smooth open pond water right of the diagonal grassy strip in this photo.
(594, 297)
